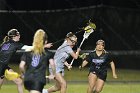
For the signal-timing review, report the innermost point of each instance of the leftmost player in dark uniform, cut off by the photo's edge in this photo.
(7, 50)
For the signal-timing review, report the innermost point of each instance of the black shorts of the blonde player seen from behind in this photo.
(34, 85)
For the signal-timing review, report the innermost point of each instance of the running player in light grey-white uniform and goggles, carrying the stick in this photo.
(62, 53)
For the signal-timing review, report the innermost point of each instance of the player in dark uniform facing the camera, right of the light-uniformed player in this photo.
(99, 60)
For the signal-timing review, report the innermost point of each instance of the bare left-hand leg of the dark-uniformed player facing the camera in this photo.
(92, 81)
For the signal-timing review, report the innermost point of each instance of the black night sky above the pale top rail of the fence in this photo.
(61, 4)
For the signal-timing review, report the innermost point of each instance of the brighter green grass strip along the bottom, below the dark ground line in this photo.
(82, 87)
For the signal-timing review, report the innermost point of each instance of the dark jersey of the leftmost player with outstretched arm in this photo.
(7, 50)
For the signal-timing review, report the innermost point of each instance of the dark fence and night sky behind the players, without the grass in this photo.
(117, 24)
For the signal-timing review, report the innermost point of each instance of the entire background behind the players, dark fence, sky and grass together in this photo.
(117, 23)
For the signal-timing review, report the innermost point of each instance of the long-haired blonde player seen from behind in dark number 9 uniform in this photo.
(34, 64)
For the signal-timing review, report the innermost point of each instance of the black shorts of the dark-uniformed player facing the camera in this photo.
(101, 74)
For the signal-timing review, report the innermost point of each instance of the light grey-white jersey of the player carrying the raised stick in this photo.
(62, 53)
